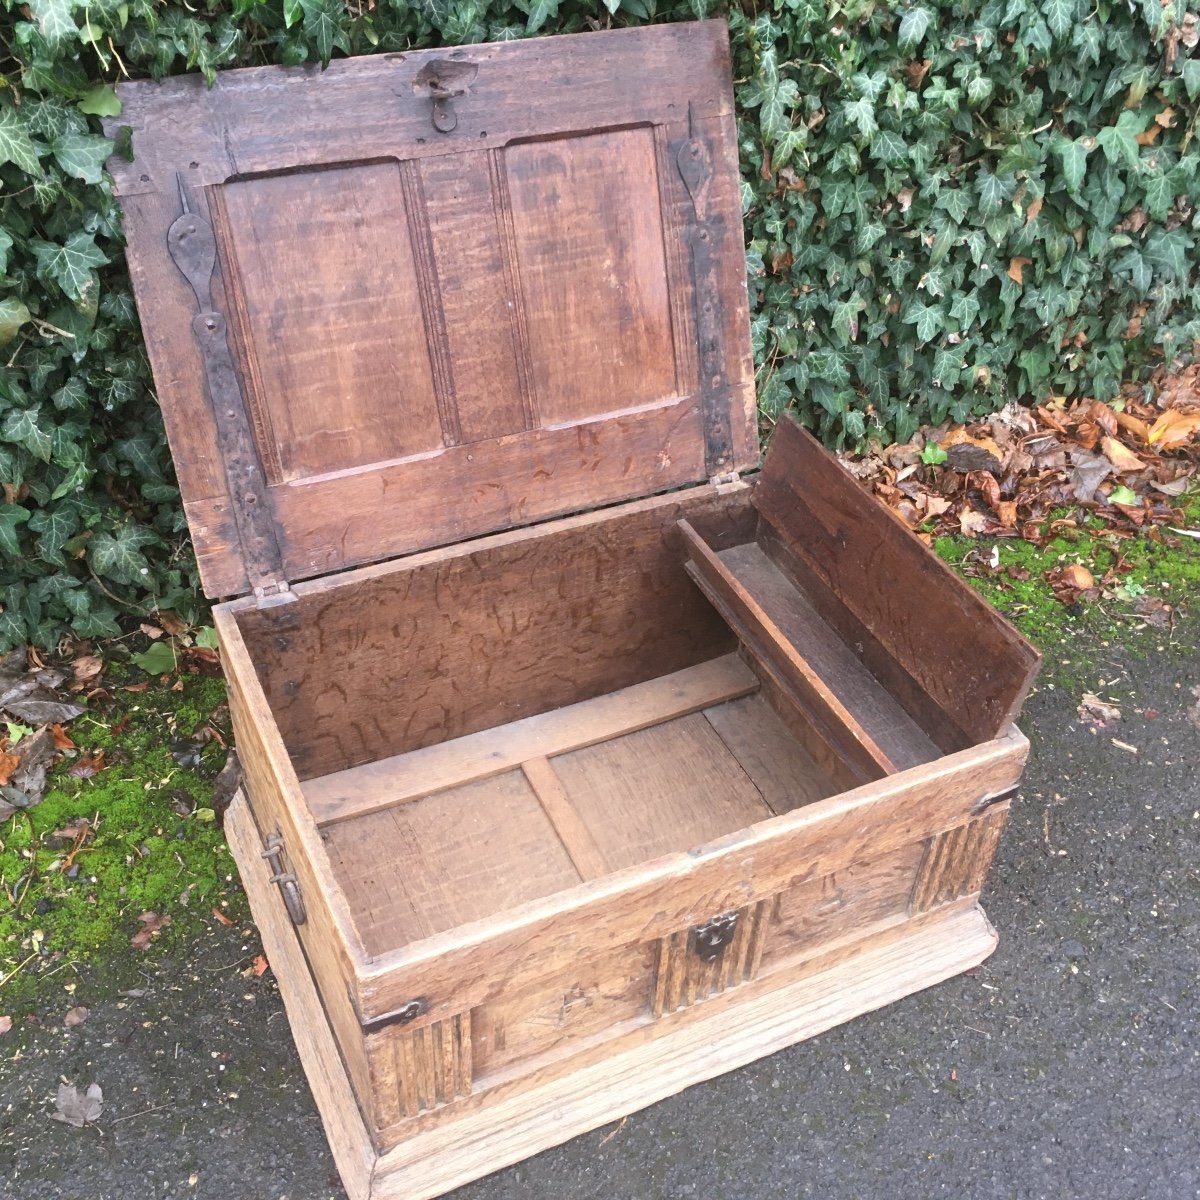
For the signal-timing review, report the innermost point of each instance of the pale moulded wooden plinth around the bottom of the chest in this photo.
(853, 976)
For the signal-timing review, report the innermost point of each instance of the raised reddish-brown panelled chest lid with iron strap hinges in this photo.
(422, 297)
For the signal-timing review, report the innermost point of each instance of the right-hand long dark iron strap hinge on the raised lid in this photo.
(694, 161)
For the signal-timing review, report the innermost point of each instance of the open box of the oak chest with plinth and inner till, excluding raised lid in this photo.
(585, 813)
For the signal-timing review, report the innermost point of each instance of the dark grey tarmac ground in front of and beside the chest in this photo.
(1067, 1066)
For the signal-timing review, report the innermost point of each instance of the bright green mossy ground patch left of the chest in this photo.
(155, 845)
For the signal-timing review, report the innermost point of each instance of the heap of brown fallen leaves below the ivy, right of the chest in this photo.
(1125, 463)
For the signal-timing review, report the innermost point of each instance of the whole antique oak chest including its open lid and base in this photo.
(583, 761)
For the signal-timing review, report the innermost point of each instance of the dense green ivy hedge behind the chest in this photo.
(947, 205)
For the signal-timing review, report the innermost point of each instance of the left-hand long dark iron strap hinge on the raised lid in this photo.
(194, 249)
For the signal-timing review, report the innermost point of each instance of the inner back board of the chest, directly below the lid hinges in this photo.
(490, 632)
